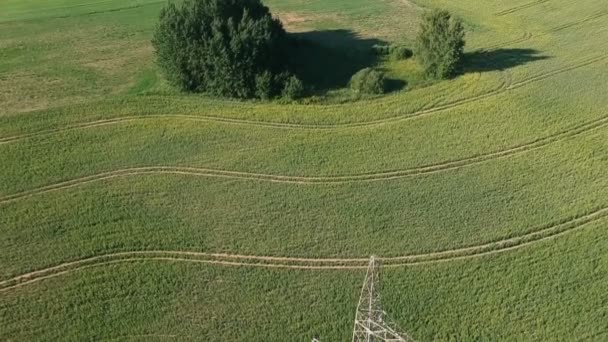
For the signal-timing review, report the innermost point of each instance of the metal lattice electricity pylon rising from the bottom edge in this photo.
(371, 322)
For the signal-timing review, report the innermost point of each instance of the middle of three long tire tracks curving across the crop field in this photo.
(310, 180)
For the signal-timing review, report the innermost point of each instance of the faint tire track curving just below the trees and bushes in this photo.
(280, 125)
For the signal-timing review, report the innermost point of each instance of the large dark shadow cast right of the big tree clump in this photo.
(327, 59)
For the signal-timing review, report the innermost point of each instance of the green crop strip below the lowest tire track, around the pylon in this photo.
(531, 294)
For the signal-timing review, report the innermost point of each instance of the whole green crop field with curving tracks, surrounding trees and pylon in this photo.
(132, 212)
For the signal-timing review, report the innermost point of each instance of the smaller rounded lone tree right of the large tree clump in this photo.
(440, 44)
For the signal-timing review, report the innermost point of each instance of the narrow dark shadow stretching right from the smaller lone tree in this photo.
(498, 59)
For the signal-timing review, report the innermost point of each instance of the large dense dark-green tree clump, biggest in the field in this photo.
(228, 48)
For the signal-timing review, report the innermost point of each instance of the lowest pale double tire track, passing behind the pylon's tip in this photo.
(333, 264)
